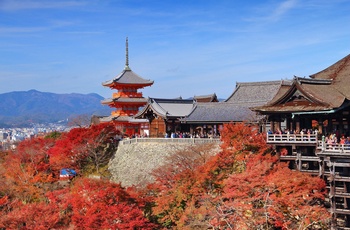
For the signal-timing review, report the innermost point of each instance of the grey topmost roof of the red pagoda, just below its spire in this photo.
(127, 76)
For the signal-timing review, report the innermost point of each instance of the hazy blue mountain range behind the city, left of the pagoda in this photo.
(22, 108)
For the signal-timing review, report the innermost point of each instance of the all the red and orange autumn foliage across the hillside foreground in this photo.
(241, 187)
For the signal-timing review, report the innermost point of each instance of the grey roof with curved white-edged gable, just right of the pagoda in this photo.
(167, 108)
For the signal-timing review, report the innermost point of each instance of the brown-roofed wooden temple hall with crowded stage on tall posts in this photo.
(316, 139)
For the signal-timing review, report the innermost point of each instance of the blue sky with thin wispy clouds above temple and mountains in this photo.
(193, 47)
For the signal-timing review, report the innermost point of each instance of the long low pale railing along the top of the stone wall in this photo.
(170, 140)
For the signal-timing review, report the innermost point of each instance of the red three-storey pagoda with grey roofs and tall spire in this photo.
(127, 100)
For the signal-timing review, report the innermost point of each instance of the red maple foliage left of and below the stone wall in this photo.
(31, 198)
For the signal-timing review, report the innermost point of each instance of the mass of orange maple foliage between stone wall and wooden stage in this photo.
(238, 189)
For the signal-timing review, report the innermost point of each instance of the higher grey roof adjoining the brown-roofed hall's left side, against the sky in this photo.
(255, 93)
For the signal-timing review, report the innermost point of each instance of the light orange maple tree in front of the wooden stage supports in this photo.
(267, 194)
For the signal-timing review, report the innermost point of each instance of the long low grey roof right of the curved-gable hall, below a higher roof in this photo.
(221, 112)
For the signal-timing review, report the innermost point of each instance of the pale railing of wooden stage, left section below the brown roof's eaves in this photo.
(291, 138)
